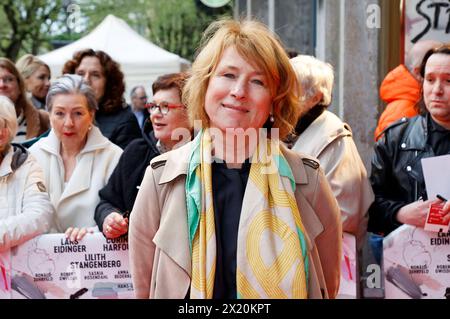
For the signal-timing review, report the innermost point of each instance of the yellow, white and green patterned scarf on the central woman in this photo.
(272, 257)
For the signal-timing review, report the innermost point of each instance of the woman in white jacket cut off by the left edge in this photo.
(25, 208)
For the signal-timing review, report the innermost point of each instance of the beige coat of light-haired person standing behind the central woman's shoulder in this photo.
(330, 141)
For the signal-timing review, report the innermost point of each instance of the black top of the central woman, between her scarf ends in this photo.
(228, 194)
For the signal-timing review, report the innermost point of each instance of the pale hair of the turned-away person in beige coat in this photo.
(314, 76)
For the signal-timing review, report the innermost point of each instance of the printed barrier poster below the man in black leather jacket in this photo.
(416, 264)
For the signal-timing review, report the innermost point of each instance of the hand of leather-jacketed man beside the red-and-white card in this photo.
(415, 213)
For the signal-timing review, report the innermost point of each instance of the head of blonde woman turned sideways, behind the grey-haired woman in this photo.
(36, 74)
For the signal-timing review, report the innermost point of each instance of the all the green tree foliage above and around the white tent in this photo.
(29, 26)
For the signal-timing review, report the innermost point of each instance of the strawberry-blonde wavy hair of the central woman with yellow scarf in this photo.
(257, 45)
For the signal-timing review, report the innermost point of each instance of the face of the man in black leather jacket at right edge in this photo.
(436, 88)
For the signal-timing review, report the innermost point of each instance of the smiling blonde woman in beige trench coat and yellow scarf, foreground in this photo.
(234, 213)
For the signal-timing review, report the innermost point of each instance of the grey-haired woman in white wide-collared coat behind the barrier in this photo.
(77, 159)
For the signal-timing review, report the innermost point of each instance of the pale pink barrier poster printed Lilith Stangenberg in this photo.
(50, 266)
